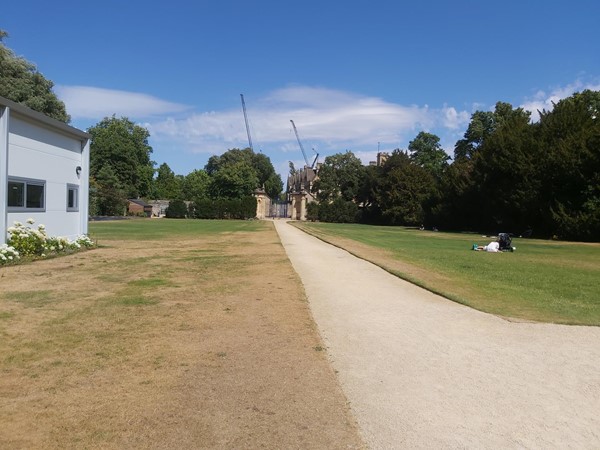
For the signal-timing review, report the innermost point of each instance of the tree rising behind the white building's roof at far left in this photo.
(21, 82)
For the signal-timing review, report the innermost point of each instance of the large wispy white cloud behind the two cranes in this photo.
(327, 120)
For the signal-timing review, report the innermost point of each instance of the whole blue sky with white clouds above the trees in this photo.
(356, 75)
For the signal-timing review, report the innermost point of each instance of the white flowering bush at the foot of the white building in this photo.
(24, 240)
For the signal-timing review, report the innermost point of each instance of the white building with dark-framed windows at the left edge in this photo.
(44, 172)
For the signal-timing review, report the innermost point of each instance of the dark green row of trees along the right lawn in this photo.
(508, 175)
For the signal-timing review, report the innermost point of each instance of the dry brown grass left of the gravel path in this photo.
(204, 343)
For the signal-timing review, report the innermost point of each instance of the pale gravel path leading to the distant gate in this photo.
(423, 372)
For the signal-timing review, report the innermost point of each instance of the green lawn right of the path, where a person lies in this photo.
(547, 281)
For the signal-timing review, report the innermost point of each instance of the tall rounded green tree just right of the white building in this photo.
(123, 146)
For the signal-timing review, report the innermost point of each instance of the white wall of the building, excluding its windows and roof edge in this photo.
(37, 151)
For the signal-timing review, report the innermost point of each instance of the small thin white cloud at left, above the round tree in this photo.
(86, 102)
